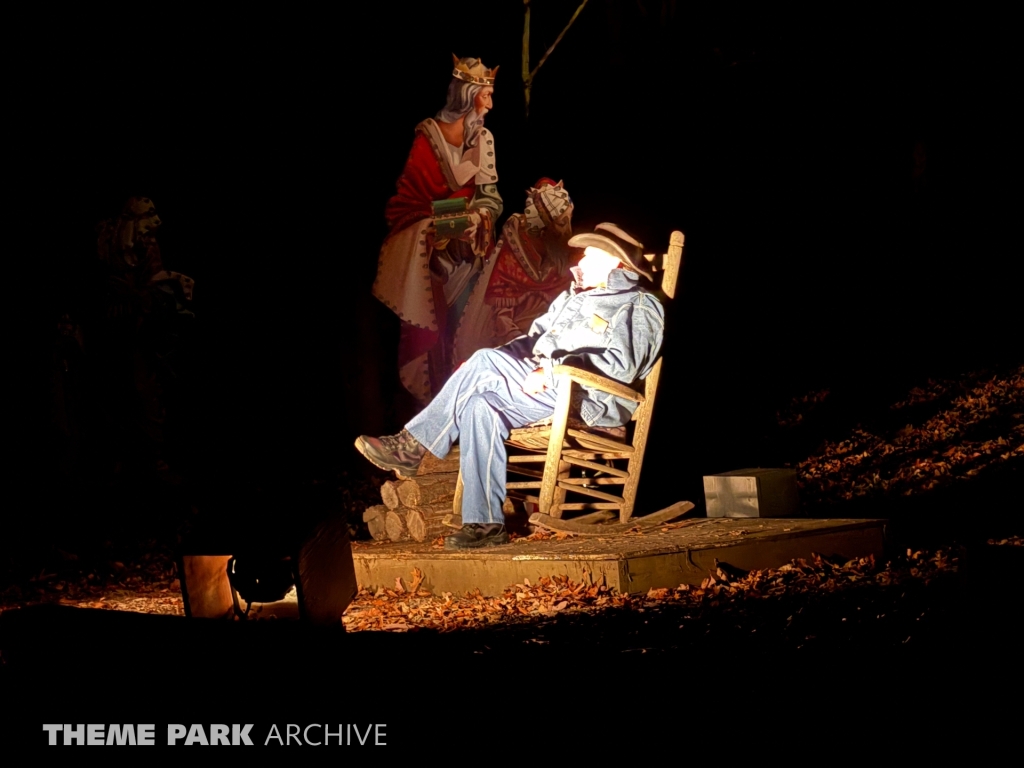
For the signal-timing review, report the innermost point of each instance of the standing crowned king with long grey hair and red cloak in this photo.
(442, 223)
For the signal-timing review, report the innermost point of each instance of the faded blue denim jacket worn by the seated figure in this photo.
(615, 331)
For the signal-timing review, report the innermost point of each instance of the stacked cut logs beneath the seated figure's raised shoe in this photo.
(415, 508)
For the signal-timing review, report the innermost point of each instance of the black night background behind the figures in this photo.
(783, 144)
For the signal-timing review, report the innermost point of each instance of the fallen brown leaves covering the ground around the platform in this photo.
(946, 433)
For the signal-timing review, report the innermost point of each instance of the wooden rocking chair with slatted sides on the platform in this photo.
(582, 461)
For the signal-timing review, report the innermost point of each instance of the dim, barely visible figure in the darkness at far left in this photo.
(114, 358)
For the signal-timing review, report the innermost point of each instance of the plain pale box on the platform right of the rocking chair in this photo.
(753, 493)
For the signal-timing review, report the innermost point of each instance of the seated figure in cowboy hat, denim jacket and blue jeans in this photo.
(607, 322)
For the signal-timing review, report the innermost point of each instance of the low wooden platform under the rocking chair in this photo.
(634, 563)
